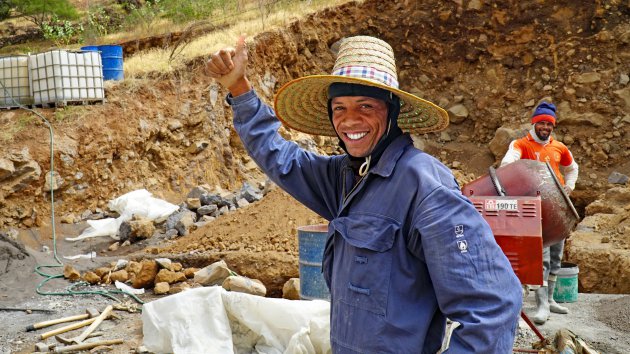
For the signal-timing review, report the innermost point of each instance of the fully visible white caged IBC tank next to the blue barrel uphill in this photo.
(61, 76)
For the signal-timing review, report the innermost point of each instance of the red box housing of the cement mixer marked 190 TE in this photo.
(517, 227)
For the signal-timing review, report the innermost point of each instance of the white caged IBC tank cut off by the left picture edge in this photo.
(14, 89)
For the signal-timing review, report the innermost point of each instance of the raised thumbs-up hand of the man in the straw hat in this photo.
(229, 67)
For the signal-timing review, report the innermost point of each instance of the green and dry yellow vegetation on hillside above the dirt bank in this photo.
(115, 21)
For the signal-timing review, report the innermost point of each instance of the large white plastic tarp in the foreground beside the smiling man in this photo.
(212, 320)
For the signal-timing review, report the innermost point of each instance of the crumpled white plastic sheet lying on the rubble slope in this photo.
(139, 202)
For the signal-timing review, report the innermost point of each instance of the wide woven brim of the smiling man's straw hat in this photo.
(302, 104)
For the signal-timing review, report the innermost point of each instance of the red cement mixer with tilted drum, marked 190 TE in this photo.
(527, 209)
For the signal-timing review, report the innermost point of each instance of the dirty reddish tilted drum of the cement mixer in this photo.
(530, 178)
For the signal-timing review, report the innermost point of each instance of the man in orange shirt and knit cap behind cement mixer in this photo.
(541, 146)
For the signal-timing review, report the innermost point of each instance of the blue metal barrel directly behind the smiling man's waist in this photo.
(311, 244)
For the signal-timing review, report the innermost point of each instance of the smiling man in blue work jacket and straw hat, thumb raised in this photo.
(405, 248)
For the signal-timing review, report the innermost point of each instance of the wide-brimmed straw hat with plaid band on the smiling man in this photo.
(302, 104)
